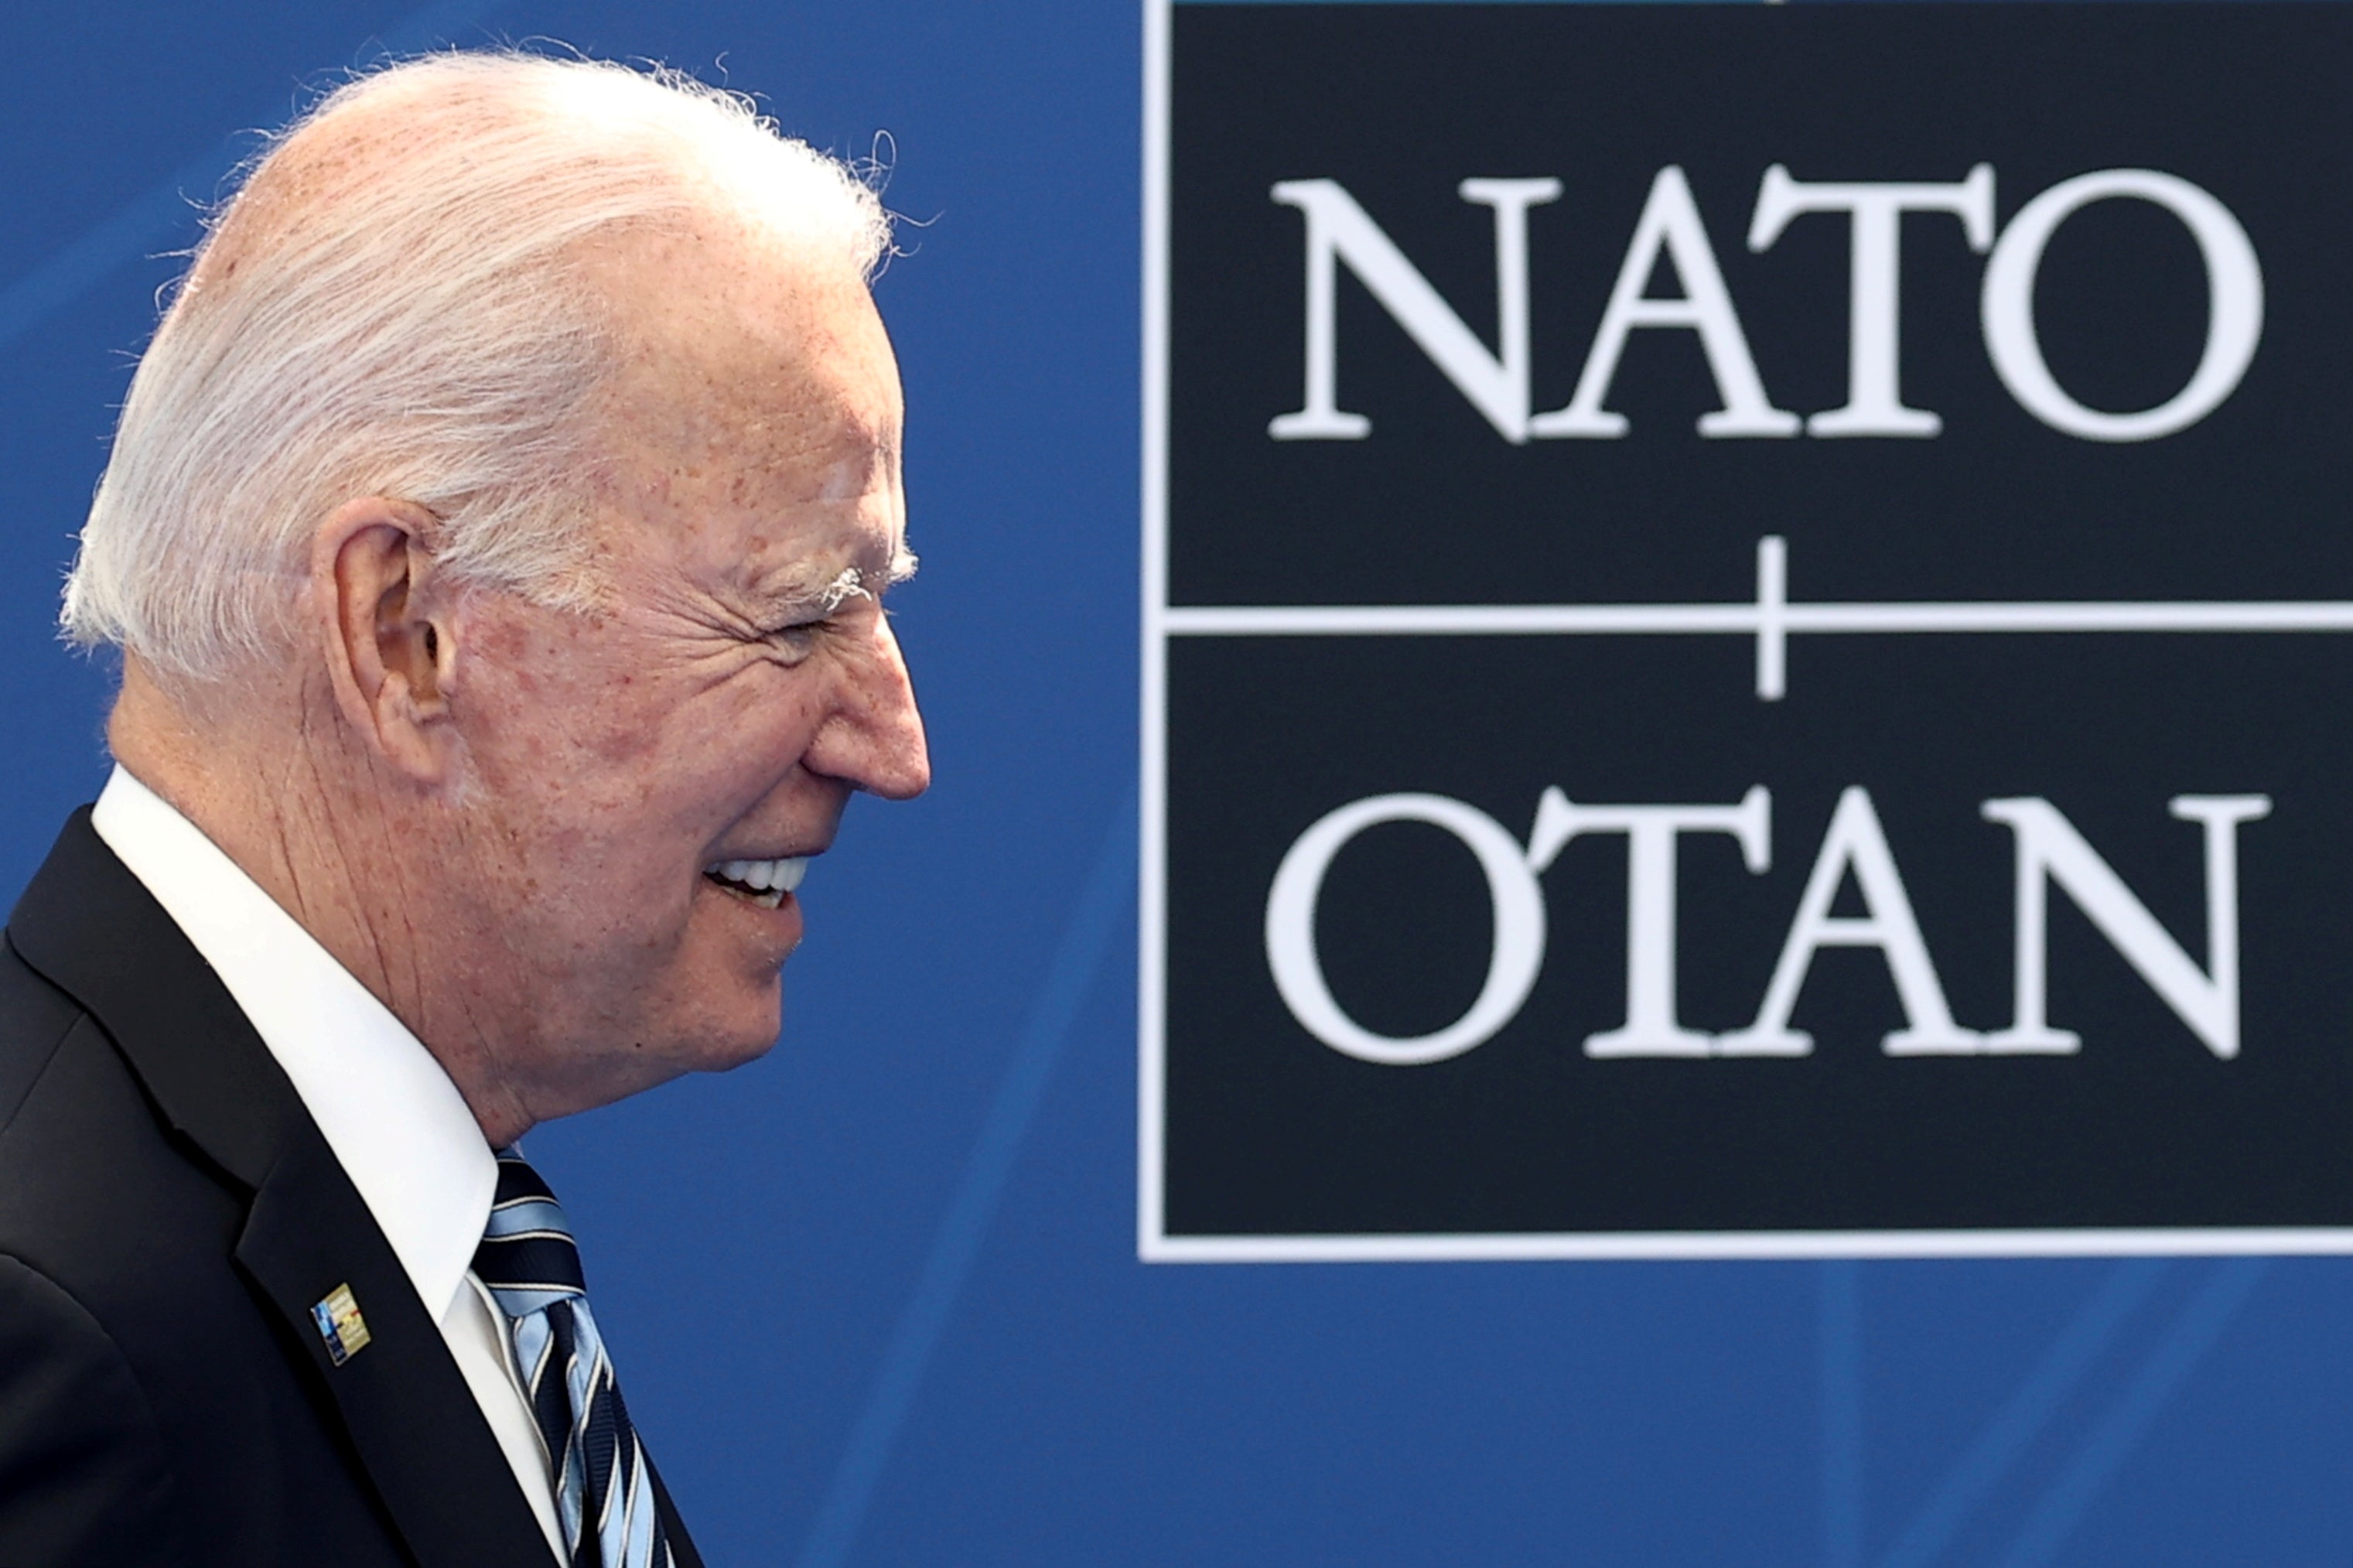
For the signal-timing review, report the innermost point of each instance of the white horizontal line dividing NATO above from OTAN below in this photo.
(1747, 620)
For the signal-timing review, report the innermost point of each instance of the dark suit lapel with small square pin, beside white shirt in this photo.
(95, 931)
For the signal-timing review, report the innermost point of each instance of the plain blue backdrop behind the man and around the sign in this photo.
(876, 1296)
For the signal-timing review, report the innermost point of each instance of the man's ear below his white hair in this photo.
(387, 632)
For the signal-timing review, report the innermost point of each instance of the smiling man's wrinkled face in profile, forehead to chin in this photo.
(651, 783)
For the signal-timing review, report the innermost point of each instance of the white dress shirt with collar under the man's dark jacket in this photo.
(387, 1108)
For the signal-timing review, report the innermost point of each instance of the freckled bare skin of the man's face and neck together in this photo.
(533, 903)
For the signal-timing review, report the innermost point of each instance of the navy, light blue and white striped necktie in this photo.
(604, 1480)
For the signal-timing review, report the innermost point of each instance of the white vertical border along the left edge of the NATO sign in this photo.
(1152, 762)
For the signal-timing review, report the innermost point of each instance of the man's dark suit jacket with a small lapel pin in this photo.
(168, 1216)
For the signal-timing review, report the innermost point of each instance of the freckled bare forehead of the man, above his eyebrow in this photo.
(754, 411)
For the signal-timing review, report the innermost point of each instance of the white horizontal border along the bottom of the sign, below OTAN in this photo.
(1669, 1247)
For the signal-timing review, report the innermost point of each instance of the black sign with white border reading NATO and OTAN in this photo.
(1749, 632)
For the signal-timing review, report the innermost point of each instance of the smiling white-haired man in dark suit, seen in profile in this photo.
(495, 540)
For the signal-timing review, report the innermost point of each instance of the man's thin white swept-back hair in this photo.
(394, 307)
